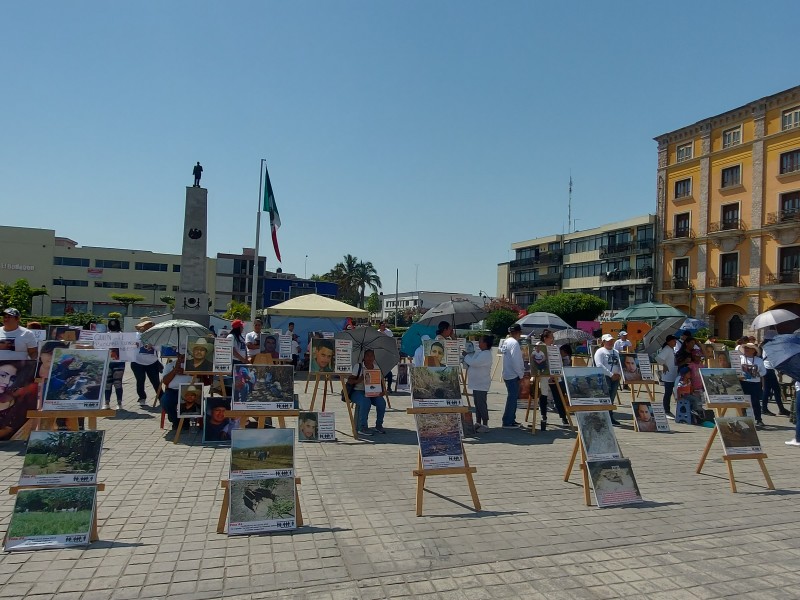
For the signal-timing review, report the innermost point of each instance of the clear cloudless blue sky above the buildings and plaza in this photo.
(423, 136)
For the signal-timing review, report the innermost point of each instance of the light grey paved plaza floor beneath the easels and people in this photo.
(534, 538)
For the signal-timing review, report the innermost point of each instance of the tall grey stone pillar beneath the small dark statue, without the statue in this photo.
(191, 300)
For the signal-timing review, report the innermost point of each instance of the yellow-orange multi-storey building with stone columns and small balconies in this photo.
(729, 214)
